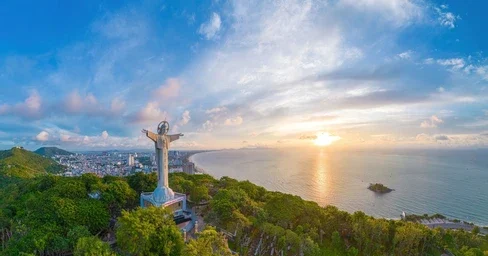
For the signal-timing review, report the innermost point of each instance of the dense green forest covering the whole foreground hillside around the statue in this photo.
(52, 215)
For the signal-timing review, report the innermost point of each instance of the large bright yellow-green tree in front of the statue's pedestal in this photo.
(149, 231)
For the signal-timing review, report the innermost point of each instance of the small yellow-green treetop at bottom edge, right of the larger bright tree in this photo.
(208, 243)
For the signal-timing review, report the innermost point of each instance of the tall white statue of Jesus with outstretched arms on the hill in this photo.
(161, 141)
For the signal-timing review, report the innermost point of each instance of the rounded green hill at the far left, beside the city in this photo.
(18, 162)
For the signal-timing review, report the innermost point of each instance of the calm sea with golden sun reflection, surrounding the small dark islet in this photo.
(450, 182)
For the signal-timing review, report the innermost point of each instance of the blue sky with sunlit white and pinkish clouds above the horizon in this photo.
(232, 74)
